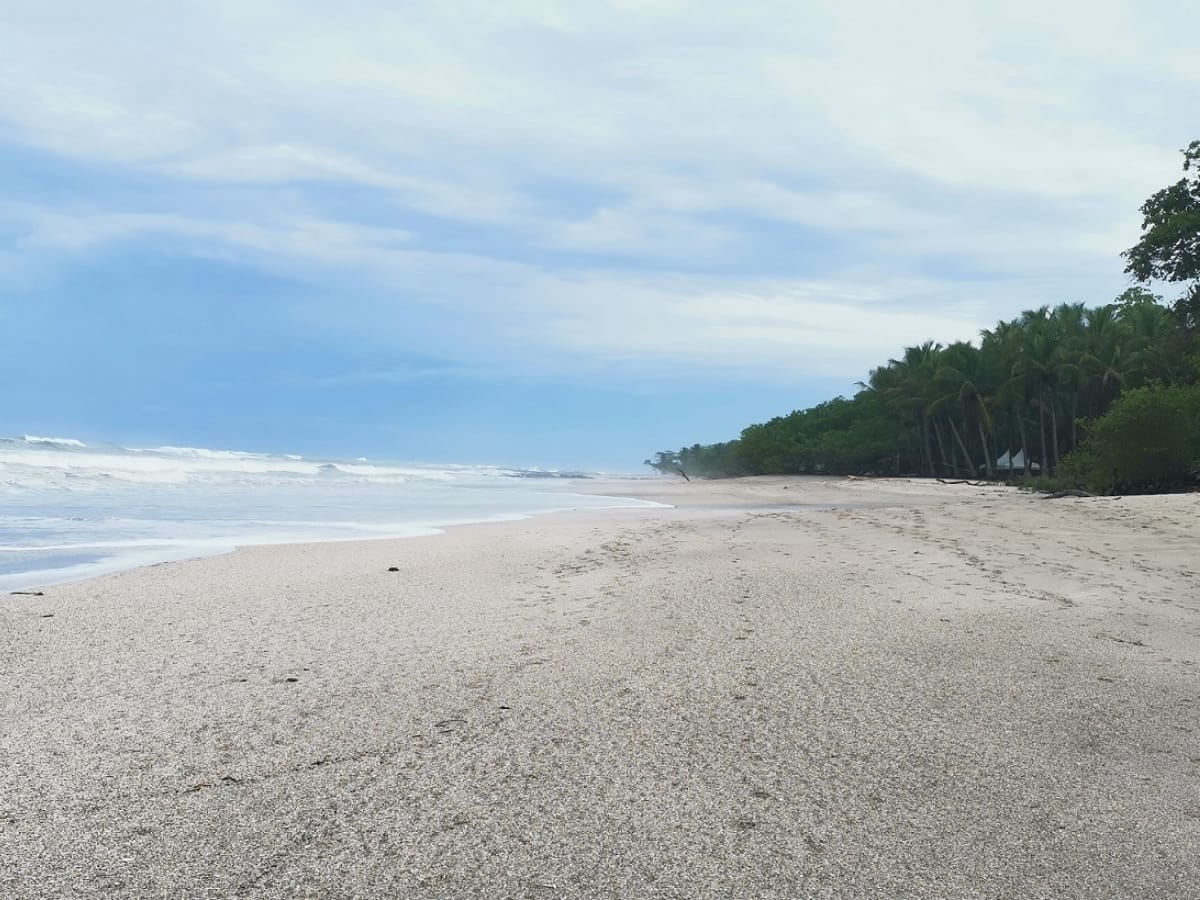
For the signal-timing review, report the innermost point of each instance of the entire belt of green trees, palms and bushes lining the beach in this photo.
(1105, 398)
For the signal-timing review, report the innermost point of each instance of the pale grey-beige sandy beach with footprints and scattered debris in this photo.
(783, 688)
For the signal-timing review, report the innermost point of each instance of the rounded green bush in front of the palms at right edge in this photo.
(1149, 441)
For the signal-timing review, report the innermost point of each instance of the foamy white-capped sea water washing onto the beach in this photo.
(70, 511)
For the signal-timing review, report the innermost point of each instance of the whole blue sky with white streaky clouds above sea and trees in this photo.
(548, 233)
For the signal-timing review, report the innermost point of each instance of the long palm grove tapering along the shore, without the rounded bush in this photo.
(955, 411)
